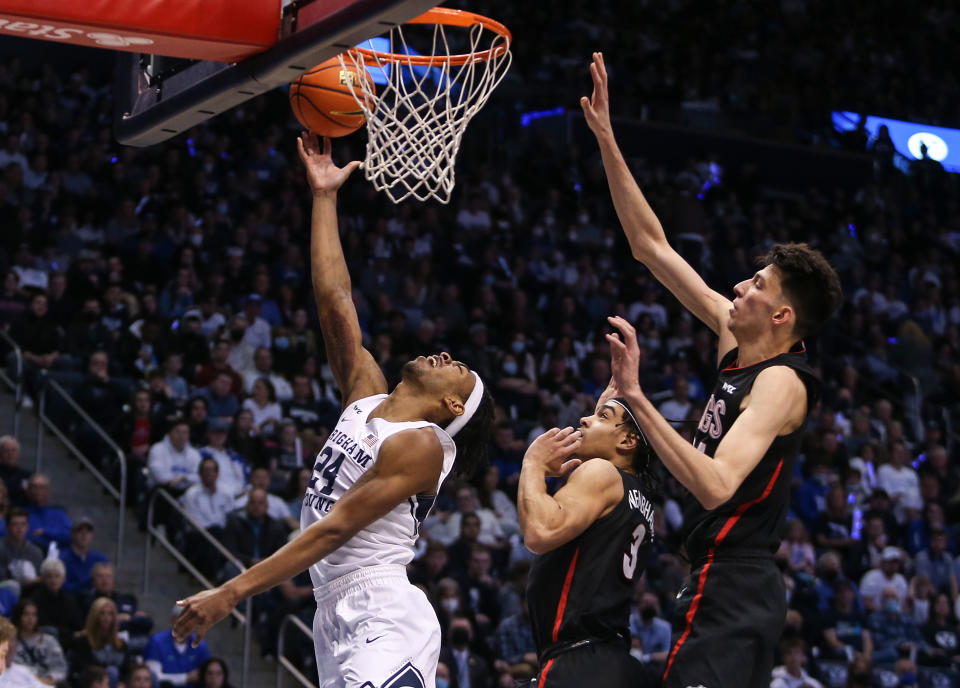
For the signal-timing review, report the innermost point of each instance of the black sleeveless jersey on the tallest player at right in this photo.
(753, 519)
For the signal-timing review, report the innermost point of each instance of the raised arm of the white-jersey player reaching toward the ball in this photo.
(354, 369)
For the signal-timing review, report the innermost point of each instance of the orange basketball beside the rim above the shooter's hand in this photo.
(322, 101)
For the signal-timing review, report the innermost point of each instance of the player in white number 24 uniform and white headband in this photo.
(373, 483)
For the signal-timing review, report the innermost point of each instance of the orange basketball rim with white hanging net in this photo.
(417, 115)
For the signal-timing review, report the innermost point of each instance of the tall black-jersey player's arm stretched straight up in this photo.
(648, 242)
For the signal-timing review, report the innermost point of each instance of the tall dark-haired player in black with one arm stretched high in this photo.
(731, 612)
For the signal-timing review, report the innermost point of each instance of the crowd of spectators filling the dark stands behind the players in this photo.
(168, 289)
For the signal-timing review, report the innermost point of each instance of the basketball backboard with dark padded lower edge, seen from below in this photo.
(157, 98)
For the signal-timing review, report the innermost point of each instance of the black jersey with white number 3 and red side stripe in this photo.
(582, 590)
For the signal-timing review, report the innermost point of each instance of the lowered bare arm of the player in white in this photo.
(409, 464)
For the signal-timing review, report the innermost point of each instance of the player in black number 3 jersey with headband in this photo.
(592, 538)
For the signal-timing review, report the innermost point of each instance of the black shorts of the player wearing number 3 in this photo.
(602, 664)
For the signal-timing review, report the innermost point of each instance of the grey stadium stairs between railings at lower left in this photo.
(75, 489)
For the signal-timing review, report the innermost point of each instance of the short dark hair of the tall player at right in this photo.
(809, 283)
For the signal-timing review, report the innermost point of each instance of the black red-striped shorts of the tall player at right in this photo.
(728, 621)
